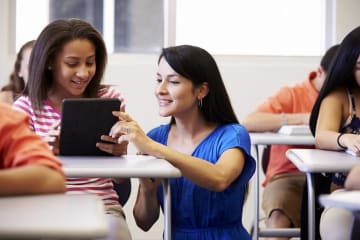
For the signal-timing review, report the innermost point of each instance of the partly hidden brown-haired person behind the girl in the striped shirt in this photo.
(19, 76)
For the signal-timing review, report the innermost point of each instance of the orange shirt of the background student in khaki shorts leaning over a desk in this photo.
(299, 98)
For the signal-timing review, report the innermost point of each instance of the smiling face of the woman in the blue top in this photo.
(176, 94)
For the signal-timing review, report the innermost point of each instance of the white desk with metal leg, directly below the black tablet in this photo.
(127, 166)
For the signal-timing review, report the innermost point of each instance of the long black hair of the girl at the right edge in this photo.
(341, 72)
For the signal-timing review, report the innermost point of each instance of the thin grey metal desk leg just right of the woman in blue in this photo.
(256, 197)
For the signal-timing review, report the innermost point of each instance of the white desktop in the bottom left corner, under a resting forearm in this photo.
(51, 216)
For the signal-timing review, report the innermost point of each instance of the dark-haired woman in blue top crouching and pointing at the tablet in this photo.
(204, 140)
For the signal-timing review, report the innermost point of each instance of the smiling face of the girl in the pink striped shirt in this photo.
(73, 68)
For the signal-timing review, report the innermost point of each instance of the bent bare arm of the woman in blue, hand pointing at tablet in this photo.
(215, 177)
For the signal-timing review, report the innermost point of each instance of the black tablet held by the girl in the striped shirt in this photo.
(83, 121)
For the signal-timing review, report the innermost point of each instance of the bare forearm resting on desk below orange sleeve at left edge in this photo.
(31, 179)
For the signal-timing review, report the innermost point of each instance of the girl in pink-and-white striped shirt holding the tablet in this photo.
(68, 61)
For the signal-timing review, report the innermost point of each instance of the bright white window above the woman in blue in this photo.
(253, 27)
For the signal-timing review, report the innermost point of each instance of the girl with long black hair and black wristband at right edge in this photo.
(335, 124)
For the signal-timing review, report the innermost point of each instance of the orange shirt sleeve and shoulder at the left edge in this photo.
(19, 145)
